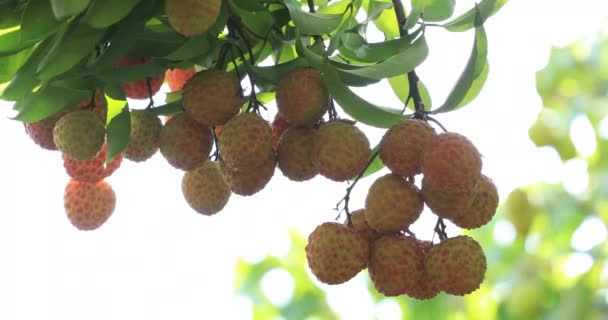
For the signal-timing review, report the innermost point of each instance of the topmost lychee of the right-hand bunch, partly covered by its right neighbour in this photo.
(402, 145)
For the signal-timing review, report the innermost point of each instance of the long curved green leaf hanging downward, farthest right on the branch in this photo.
(473, 76)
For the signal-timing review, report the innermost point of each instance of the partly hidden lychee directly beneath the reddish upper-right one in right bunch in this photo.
(448, 204)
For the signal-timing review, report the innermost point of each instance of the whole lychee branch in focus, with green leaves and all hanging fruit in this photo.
(71, 66)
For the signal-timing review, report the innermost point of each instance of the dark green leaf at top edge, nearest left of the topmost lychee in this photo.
(104, 13)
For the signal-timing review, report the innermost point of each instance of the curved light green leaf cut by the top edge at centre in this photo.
(312, 23)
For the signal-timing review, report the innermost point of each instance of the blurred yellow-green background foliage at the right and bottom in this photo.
(538, 272)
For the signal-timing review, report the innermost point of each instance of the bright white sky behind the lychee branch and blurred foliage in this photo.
(157, 259)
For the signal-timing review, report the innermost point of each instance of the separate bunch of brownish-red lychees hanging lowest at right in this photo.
(378, 238)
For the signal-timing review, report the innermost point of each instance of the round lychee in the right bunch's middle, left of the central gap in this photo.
(392, 204)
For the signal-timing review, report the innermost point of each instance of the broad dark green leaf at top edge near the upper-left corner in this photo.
(38, 22)
